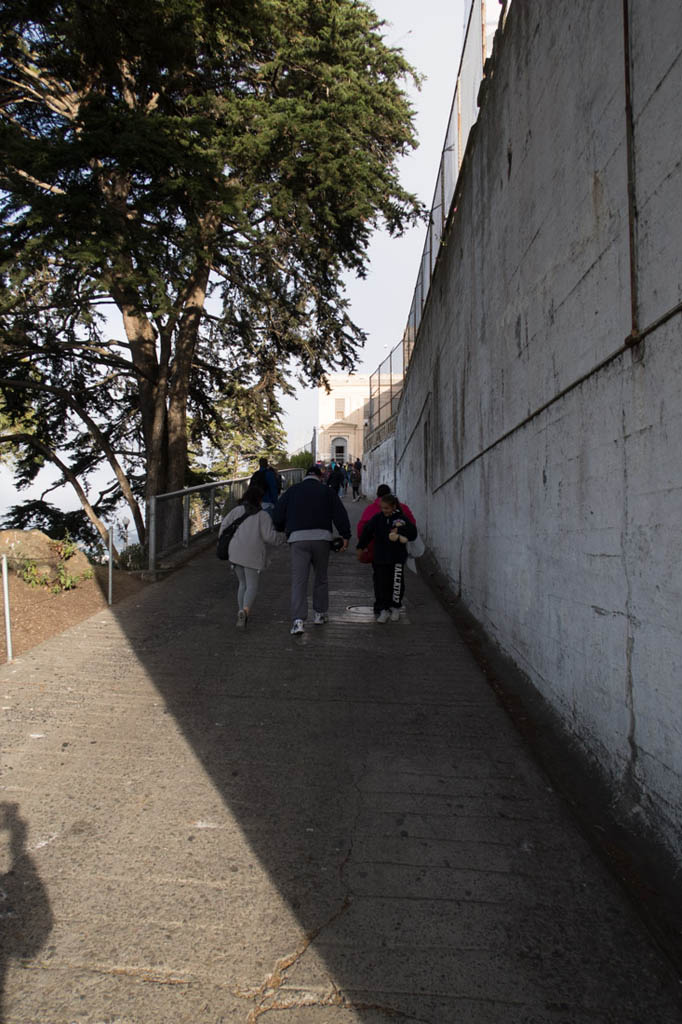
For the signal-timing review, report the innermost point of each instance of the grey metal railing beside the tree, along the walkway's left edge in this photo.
(201, 509)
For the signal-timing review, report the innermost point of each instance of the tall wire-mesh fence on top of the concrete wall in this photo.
(485, 17)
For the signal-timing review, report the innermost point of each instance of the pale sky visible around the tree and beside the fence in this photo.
(431, 34)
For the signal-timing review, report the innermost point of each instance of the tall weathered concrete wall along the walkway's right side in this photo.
(541, 454)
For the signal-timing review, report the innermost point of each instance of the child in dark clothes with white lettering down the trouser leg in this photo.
(391, 530)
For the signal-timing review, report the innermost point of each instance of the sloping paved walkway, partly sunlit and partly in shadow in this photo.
(338, 828)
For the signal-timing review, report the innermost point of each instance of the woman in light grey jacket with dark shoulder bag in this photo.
(248, 549)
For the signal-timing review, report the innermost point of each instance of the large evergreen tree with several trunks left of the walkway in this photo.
(207, 172)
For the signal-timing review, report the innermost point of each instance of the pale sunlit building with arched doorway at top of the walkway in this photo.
(343, 415)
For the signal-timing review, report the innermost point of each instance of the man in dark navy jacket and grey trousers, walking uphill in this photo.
(308, 513)
